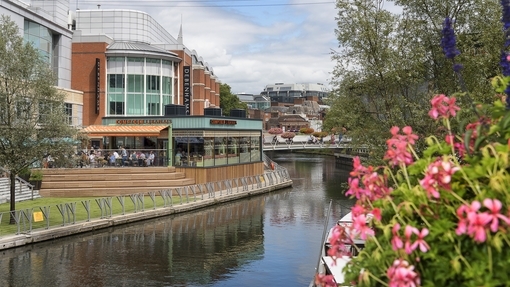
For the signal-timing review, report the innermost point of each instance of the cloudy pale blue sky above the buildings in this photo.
(248, 43)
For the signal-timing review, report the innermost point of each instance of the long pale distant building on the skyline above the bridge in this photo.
(288, 93)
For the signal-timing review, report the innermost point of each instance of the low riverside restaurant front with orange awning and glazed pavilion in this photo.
(187, 142)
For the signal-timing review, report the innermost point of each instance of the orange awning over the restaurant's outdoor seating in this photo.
(96, 131)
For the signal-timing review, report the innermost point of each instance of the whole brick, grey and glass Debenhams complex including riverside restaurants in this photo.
(138, 86)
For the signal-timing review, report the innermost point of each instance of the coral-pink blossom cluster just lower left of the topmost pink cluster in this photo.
(398, 151)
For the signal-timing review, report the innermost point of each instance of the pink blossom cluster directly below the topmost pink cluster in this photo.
(438, 176)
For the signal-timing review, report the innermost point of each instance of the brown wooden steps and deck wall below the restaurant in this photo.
(113, 181)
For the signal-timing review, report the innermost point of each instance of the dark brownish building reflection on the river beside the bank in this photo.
(184, 250)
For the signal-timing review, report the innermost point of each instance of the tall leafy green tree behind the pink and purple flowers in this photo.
(389, 66)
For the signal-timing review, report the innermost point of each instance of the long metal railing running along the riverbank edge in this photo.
(25, 221)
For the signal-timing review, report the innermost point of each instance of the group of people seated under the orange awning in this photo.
(122, 157)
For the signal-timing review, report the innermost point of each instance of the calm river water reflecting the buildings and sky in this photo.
(267, 240)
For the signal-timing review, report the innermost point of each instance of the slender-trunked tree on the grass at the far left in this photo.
(32, 117)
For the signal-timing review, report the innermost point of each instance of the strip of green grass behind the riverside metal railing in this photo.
(80, 214)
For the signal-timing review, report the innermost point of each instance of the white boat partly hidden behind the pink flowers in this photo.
(328, 265)
